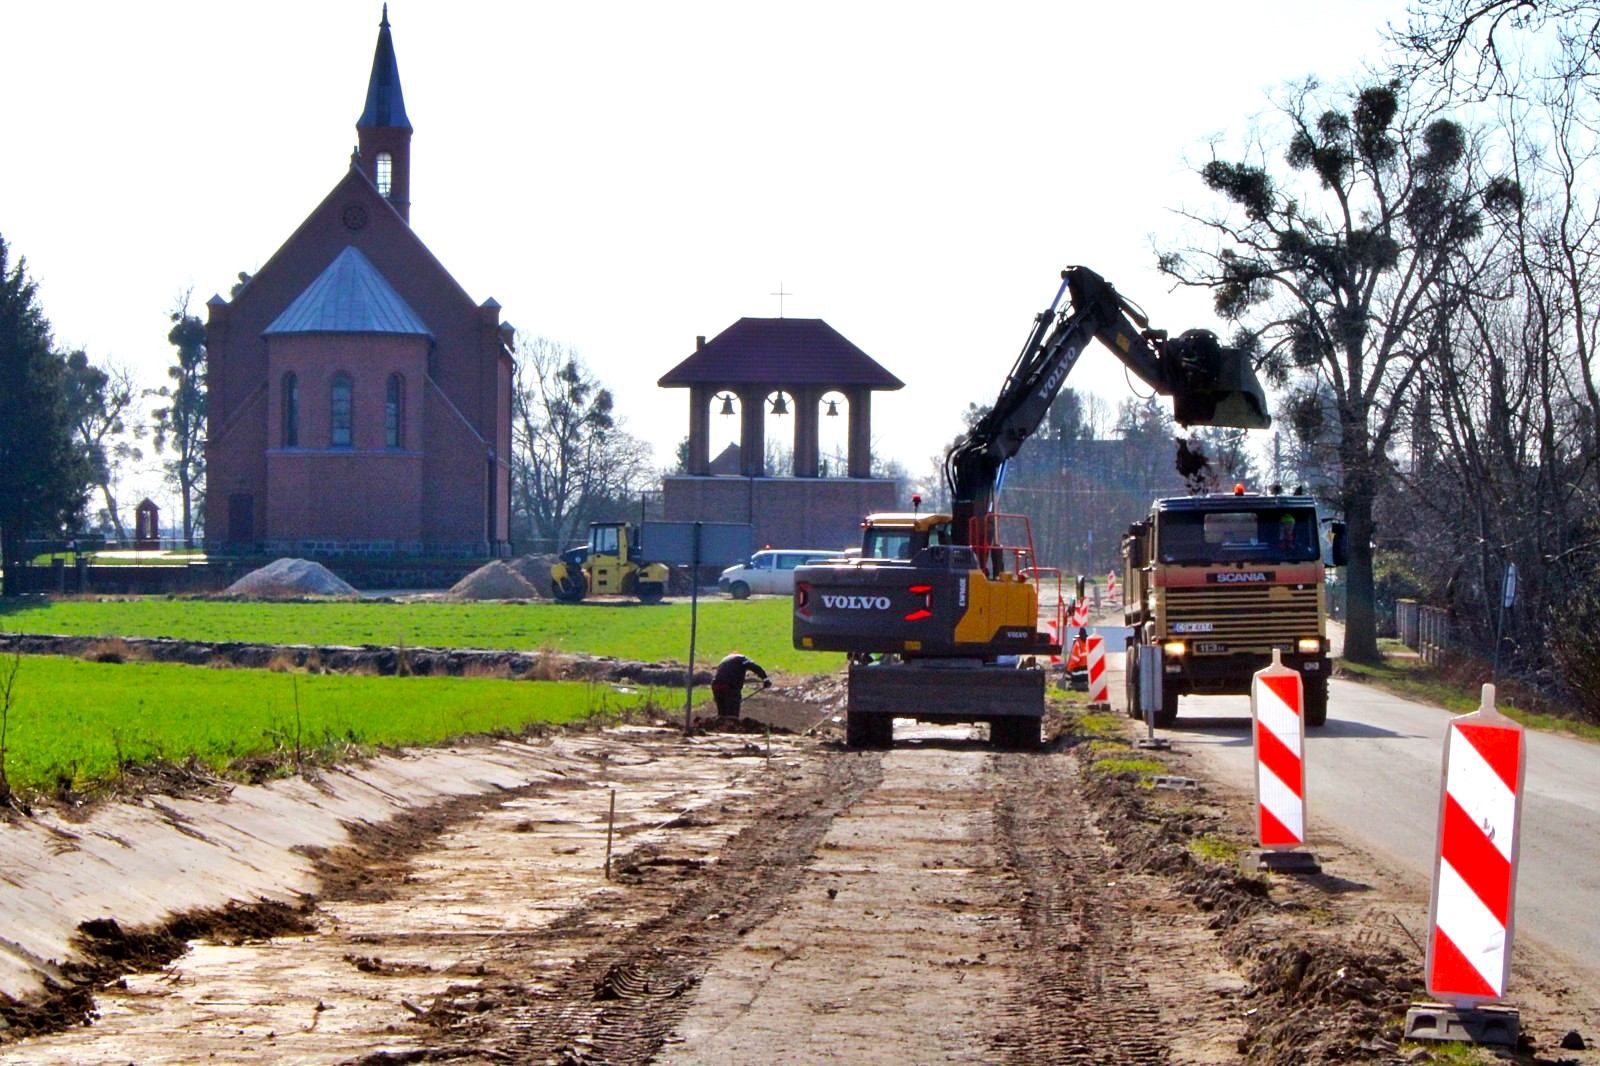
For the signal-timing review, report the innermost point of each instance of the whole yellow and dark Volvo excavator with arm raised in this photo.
(938, 609)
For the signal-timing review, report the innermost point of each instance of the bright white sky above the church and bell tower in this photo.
(626, 177)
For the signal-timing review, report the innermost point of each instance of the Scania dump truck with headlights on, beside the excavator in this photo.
(1215, 583)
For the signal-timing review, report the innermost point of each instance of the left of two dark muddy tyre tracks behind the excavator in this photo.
(626, 988)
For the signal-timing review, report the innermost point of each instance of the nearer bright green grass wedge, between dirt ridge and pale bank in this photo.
(73, 723)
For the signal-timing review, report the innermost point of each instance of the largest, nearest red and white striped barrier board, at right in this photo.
(1476, 862)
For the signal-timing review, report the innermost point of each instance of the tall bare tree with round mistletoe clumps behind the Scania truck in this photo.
(1337, 258)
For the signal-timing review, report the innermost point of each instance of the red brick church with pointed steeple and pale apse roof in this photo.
(359, 401)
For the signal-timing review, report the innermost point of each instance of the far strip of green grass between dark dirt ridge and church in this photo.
(761, 627)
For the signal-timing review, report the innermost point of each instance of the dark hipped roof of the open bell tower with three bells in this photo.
(780, 351)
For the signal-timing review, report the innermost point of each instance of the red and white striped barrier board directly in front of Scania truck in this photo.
(1276, 705)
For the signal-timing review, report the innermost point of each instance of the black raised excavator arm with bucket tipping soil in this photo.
(1210, 385)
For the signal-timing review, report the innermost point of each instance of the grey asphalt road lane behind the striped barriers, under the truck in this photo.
(1374, 777)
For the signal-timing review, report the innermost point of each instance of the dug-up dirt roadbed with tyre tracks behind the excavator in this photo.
(938, 904)
